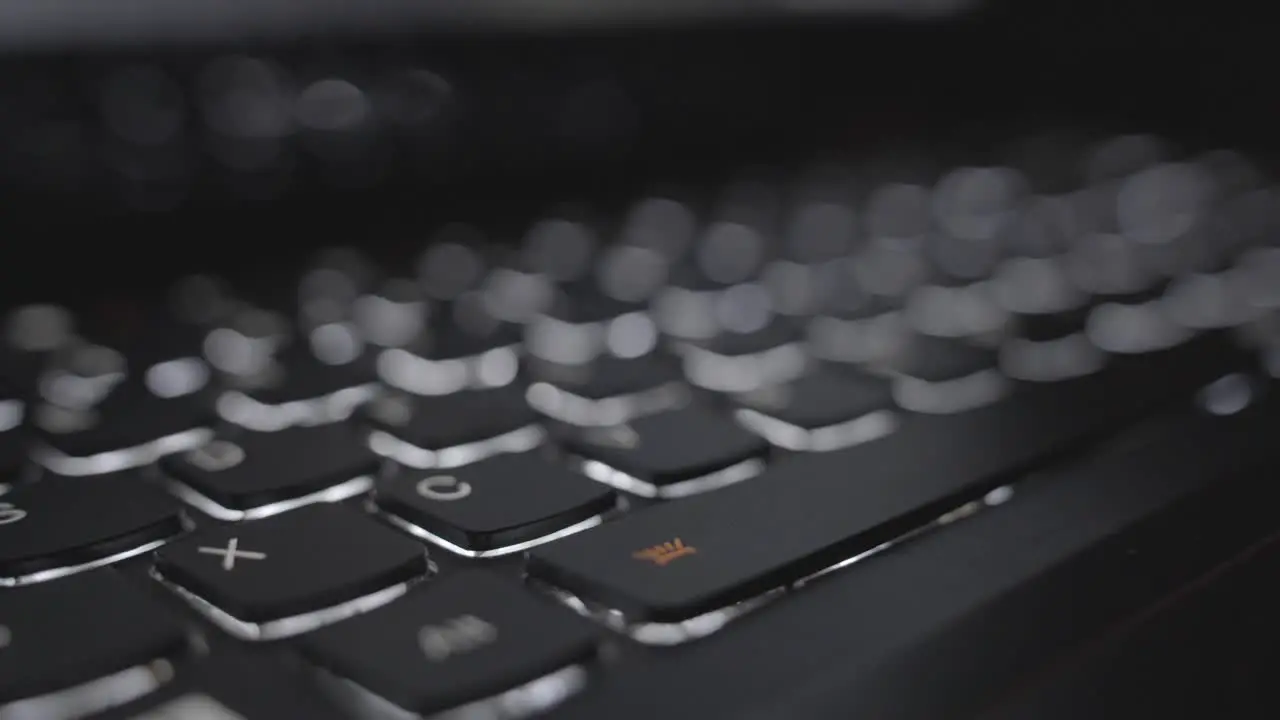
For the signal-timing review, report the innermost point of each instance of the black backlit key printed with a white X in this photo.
(290, 566)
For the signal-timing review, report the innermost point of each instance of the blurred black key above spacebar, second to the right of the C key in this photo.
(820, 411)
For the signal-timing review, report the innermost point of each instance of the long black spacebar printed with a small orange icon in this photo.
(679, 560)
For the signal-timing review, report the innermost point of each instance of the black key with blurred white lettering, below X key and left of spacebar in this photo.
(463, 640)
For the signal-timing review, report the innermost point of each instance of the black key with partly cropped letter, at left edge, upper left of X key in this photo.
(60, 525)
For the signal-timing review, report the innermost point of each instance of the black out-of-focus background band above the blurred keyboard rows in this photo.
(598, 115)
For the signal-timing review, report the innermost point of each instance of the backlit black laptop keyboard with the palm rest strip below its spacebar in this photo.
(714, 452)
